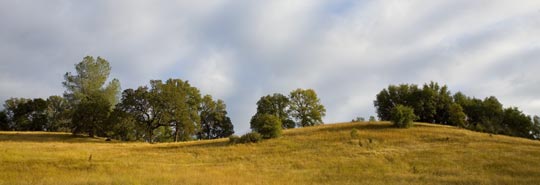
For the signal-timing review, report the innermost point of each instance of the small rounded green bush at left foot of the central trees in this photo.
(269, 126)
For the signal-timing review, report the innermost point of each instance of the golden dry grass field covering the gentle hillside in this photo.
(424, 154)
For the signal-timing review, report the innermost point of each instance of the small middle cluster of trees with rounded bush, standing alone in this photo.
(275, 112)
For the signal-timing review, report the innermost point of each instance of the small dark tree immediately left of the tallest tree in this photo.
(57, 114)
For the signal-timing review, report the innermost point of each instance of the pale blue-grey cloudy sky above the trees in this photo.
(238, 51)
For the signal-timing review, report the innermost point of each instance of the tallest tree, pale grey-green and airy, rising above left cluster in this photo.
(88, 86)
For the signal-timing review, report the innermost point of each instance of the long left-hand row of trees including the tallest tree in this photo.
(167, 111)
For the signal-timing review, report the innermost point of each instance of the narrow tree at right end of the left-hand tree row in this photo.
(214, 120)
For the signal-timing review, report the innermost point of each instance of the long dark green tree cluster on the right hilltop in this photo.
(435, 104)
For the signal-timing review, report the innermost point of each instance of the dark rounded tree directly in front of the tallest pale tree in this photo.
(91, 116)
